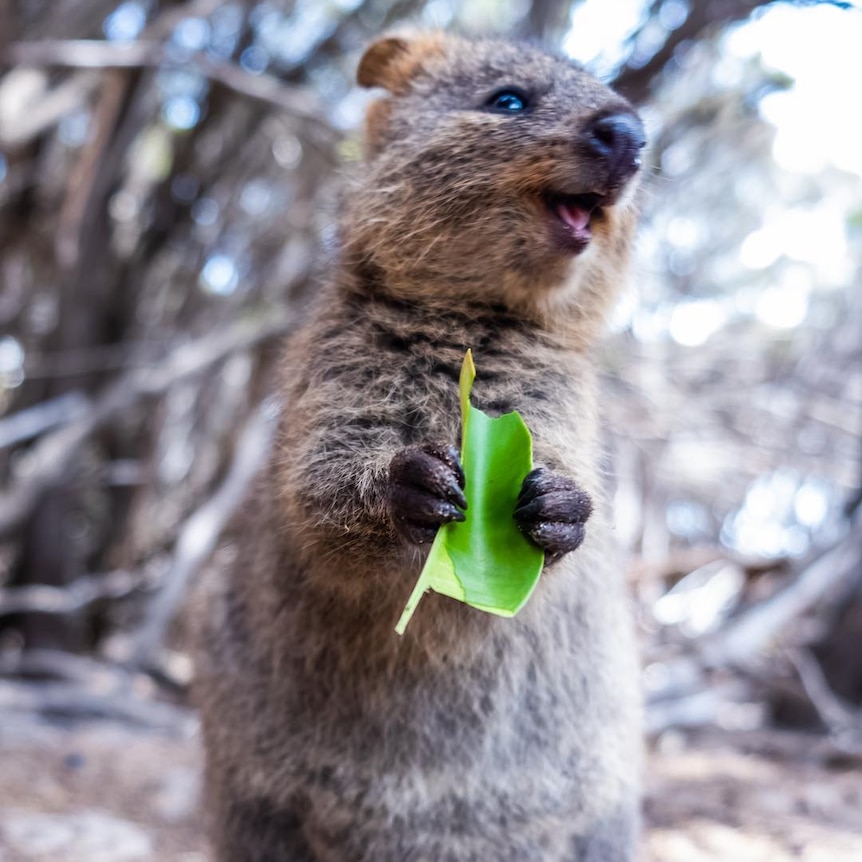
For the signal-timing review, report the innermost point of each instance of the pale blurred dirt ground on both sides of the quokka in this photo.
(104, 793)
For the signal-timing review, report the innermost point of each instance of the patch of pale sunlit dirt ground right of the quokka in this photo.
(737, 799)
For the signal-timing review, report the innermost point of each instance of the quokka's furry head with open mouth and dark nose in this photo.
(494, 172)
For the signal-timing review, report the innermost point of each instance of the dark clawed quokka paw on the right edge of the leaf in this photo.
(552, 510)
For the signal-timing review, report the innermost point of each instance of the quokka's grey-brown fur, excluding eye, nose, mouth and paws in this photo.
(330, 738)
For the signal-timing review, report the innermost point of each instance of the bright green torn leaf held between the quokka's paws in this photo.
(484, 560)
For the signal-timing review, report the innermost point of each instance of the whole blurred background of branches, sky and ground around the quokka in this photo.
(168, 189)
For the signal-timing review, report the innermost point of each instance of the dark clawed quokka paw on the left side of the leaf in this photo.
(426, 490)
